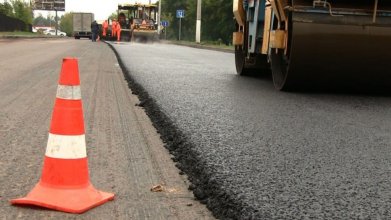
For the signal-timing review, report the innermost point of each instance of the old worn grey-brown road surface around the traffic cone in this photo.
(125, 153)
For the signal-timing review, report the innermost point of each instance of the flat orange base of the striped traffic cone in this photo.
(66, 200)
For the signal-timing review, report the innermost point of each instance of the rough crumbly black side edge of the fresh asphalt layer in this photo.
(222, 204)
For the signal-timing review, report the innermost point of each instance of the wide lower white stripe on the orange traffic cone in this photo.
(66, 146)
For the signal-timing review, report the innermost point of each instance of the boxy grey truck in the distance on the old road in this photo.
(82, 25)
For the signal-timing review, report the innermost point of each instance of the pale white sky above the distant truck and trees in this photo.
(102, 9)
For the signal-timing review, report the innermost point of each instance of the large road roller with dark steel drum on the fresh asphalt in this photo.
(307, 43)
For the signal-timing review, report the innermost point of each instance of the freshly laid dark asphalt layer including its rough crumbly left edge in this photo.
(252, 152)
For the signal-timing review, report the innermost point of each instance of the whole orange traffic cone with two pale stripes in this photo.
(65, 184)
